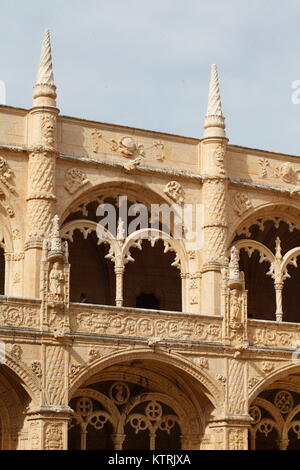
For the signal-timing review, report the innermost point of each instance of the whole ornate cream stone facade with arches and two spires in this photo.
(113, 338)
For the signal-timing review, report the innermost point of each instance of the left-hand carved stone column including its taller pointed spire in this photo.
(42, 143)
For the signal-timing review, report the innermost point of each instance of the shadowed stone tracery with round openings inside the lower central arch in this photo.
(131, 414)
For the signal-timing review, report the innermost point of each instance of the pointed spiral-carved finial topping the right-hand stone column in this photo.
(214, 120)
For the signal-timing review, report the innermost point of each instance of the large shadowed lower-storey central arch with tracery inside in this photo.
(138, 406)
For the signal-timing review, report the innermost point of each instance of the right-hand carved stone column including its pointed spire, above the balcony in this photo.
(214, 191)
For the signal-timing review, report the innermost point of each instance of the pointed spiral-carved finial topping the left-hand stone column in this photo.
(45, 89)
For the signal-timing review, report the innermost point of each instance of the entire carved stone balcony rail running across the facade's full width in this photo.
(24, 314)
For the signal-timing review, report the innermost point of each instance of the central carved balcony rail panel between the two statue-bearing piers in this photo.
(141, 323)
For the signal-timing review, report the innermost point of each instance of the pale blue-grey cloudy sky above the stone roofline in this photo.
(146, 63)
